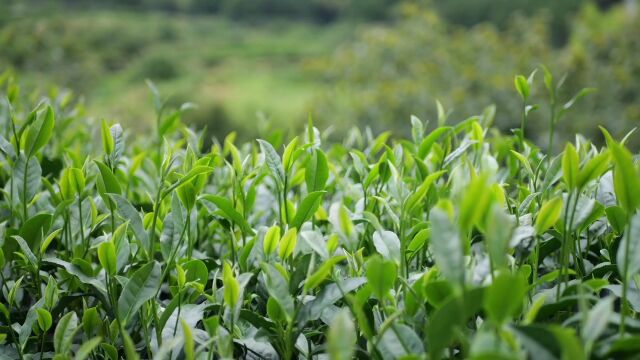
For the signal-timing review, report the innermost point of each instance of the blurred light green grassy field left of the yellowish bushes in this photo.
(231, 70)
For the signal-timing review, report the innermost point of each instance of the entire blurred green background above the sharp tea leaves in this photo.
(257, 65)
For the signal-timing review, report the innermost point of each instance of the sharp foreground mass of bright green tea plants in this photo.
(458, 242)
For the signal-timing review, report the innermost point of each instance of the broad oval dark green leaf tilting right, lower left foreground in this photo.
(142, 286)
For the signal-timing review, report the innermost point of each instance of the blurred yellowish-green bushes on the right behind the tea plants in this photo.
(394, 71)
